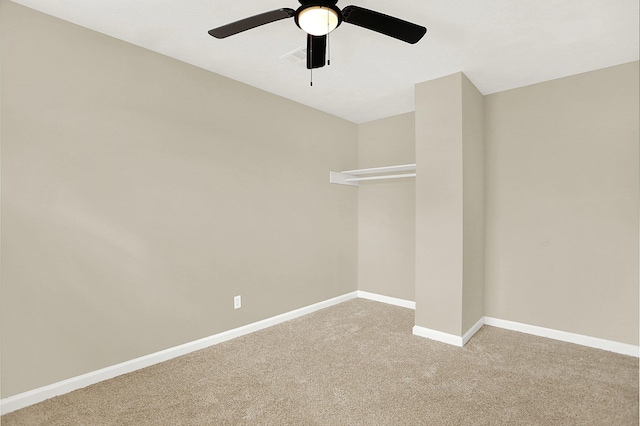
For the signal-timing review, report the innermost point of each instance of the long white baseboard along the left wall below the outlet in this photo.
(34, 396)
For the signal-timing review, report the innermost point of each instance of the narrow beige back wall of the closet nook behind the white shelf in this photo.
(386, 209)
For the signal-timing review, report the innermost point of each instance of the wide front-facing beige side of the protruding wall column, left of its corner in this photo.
(439, 204)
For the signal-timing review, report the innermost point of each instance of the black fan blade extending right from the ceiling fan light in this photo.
(385, 24)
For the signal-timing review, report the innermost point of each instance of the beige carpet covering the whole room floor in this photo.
(357, 363)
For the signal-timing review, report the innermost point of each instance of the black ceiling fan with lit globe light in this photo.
(319, 17)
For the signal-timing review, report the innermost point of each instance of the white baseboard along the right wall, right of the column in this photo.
(592, 342)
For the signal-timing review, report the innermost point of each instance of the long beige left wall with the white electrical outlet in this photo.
(140, 194)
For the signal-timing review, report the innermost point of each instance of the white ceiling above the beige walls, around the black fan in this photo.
(498, 44)
